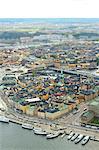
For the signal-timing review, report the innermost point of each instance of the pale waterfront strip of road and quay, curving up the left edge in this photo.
(47, 125)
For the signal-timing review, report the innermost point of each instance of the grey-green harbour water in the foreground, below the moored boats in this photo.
(13, 137)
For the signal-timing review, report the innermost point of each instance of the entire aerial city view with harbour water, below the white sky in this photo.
(49, 84)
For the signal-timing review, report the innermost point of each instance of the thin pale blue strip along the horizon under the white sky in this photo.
(49, 20)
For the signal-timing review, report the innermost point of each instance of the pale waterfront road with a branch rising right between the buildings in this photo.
(67, 122)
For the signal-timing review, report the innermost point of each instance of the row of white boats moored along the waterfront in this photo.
(76, 137)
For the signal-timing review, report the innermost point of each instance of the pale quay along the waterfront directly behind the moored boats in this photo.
(65, 127)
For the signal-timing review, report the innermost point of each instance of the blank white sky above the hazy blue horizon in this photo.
(49, 8)
